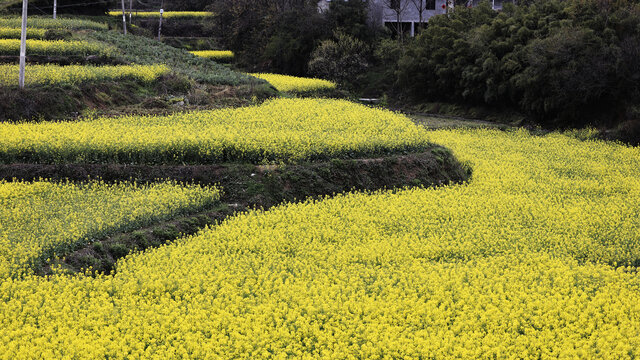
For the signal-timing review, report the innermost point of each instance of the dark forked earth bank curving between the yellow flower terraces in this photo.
(243, 187)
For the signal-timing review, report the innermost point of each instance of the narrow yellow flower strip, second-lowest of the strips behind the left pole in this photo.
(55, 47)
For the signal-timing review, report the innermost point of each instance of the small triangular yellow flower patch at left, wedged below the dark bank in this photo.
(42, 217)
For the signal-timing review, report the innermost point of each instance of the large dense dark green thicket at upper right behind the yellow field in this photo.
(564, 63)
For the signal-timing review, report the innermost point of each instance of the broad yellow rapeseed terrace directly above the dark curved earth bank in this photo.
(285, 130)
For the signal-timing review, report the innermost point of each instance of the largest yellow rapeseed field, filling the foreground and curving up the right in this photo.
(514, 264)
